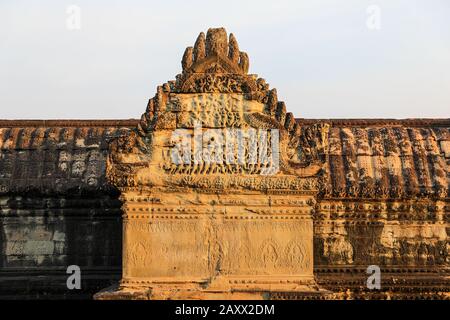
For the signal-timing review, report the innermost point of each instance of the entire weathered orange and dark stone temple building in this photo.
(348, 194)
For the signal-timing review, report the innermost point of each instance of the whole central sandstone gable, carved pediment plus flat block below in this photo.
(204, 180)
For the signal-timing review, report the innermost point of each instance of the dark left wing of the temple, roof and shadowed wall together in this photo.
(56, 208)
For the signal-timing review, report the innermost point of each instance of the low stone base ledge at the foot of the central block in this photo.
(221, 288)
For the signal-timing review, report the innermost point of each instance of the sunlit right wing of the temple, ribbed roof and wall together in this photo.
(385, 202)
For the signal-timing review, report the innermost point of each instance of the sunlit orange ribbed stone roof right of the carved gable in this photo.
(388, 159)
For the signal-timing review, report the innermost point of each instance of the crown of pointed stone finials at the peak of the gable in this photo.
(215, 53)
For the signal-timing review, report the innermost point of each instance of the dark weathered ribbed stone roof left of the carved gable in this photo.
(56, 156)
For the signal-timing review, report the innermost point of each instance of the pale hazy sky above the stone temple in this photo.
(327, 59)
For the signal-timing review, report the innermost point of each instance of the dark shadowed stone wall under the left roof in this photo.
(41, 237)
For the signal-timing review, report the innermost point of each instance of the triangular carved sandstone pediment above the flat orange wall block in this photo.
(214, 92)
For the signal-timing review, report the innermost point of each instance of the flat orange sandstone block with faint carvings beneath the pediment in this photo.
(185, 245)
